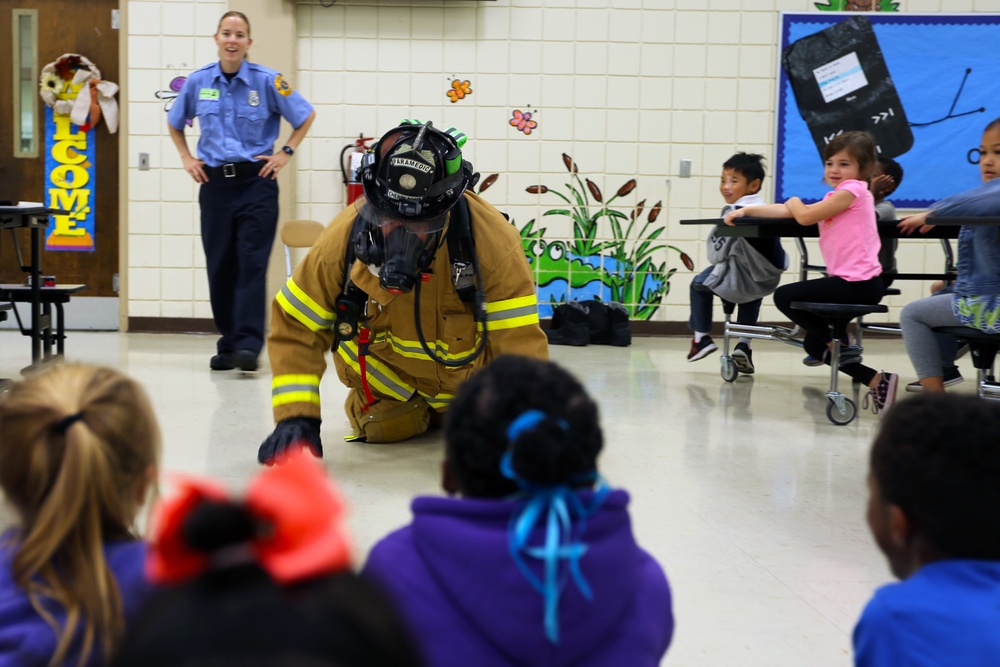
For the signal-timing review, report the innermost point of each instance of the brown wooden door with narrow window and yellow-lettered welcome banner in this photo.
(34, 34)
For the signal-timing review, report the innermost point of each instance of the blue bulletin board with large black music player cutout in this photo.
(925, 85)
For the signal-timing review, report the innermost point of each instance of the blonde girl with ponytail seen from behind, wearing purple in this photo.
(79, 447)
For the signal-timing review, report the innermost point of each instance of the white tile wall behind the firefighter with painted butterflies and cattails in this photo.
(626, 87)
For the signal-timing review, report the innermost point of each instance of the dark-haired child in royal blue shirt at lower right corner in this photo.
(933, 508)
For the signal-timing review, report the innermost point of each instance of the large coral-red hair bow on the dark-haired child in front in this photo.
(295, 500)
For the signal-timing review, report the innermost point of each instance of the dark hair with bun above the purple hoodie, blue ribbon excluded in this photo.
(558, 449)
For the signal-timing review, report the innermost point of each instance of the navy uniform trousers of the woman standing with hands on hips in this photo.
(239, 216)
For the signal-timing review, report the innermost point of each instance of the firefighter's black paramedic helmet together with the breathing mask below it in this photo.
(411, 179)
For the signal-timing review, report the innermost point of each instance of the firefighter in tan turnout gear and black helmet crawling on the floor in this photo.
(414, 288)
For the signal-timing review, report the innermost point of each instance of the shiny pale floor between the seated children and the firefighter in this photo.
(748, 496)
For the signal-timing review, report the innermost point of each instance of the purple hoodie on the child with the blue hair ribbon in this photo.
(451, 574)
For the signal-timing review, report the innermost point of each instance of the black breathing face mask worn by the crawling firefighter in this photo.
(398, 251)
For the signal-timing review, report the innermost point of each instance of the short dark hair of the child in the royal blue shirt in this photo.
(937, 457)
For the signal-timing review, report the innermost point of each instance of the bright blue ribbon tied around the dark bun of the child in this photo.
(559, 505)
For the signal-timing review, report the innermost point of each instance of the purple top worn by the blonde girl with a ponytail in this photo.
(26, 640)
